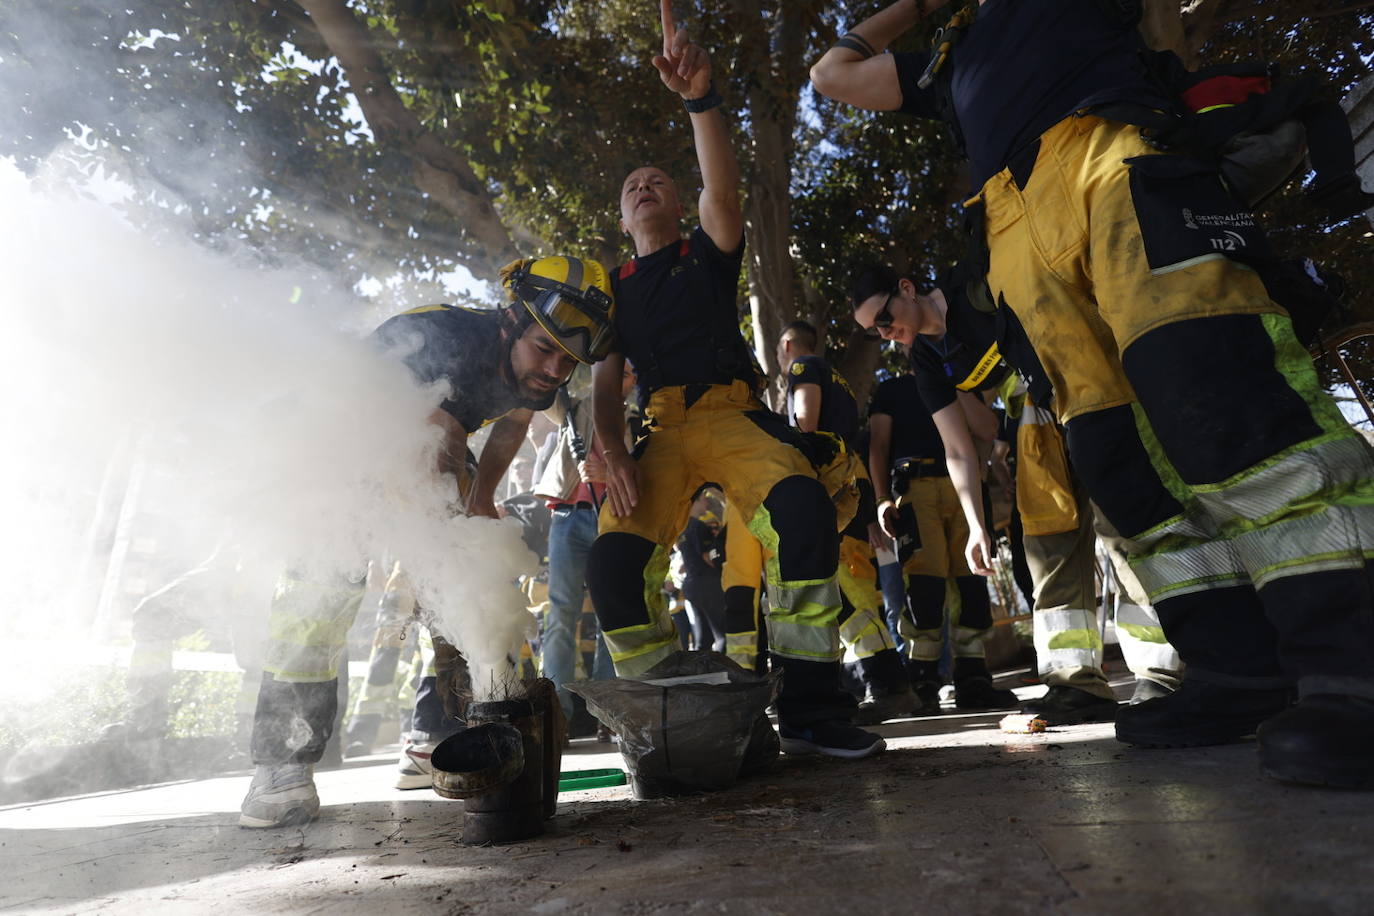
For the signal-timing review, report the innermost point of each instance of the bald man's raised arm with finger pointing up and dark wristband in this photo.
(685, 69)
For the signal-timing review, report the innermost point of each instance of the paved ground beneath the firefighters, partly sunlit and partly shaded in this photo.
(956, 818)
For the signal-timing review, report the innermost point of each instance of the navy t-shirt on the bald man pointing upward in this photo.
(678, 315)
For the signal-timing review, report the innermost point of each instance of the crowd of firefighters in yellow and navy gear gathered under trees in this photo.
(1152, 392)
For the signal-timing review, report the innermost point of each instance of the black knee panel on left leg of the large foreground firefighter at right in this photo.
(1112, 463)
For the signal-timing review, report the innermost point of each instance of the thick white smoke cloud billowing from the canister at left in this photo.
(238, 407)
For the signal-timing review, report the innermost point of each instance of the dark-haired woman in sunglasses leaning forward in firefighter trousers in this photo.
(957, 348)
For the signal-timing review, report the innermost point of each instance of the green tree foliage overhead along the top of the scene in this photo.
(550, 102)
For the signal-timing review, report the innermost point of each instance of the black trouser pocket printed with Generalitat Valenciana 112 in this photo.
(1186, 215)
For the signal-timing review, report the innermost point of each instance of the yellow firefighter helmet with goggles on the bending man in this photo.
(571, 299)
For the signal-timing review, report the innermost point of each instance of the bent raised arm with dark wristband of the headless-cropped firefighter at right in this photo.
(857, 71)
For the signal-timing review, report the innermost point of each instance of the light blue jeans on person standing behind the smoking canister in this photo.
(571, 538)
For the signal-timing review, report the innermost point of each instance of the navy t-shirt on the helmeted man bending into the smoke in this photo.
(465, 348)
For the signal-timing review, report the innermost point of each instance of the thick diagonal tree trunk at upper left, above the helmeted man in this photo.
(438, 170)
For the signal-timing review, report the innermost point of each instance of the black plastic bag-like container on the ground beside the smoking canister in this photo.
(696, 730)
